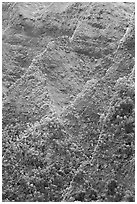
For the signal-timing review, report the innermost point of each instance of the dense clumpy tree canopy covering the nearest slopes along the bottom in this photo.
(39, 163)
